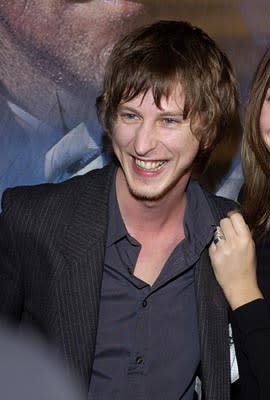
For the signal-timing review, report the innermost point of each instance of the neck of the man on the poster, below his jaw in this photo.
(60, 104)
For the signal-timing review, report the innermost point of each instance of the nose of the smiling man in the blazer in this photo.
(145, 139)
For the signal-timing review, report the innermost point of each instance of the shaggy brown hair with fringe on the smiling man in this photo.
(157, 57)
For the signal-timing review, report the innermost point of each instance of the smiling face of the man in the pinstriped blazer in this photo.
(155, 146)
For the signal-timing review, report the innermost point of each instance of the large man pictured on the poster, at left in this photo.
(52, 61)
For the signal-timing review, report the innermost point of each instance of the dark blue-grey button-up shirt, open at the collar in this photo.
(147, 341)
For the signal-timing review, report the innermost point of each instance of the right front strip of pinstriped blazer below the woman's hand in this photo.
(214, 333)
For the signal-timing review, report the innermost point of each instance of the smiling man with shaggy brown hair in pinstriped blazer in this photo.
(113, 266)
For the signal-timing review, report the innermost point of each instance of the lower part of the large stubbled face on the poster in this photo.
(69, 37)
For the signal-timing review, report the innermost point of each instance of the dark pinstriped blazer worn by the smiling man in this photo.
(52, 245)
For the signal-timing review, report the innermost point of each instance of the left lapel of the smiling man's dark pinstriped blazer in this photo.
(78, 289)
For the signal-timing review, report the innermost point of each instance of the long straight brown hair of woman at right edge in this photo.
(255, 156)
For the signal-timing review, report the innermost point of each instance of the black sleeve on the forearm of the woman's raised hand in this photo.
(252, 341)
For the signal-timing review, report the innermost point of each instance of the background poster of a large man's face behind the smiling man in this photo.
(51, 66)
